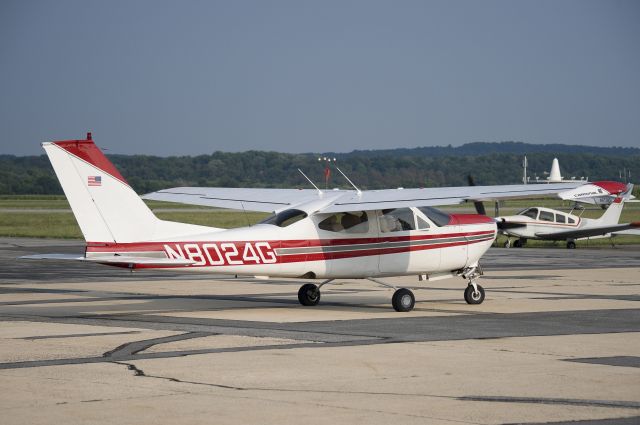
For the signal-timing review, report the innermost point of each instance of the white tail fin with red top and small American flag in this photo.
(106, 208)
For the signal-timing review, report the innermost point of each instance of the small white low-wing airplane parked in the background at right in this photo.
(548, 224)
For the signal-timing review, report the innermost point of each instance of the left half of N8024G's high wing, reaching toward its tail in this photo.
(267, 200)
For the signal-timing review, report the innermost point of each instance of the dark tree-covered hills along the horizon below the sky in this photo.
(489, 163)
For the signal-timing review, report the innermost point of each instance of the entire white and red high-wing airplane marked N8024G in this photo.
(312, 234)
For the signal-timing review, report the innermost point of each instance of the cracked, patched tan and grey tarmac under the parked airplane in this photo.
(556, 341)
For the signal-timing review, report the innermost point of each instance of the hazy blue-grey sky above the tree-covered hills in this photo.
(190, 77)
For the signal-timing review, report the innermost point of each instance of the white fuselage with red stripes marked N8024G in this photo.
(308, 248)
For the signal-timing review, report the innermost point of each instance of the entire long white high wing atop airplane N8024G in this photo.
(270, 200)
